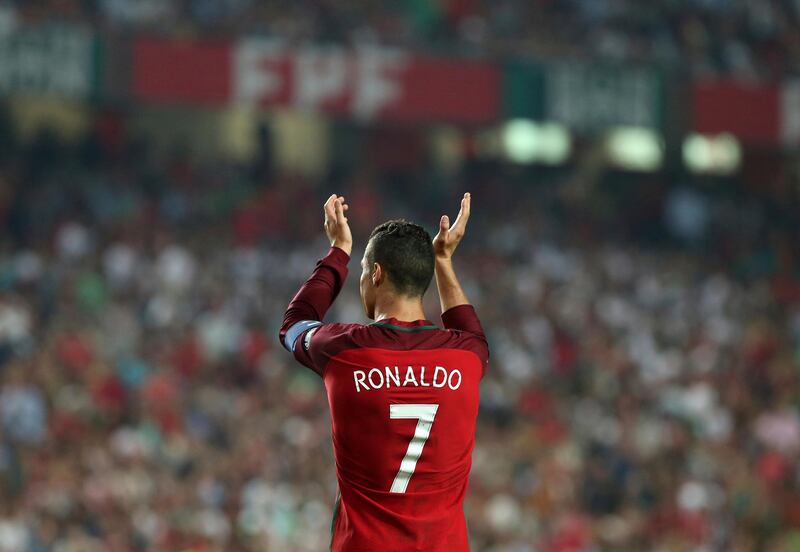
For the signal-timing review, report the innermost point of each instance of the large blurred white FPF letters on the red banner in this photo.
(363, 81)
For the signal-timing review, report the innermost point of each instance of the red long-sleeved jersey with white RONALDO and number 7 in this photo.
(404, 399)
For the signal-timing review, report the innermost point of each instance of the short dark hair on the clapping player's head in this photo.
(405, 251)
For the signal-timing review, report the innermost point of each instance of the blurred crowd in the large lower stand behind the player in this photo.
(643, 390)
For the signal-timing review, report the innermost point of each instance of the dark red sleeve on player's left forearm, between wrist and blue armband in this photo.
(317, 294)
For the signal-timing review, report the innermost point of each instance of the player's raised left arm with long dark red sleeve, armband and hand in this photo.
(308, 307)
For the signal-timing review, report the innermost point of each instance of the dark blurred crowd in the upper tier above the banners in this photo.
(749, 39)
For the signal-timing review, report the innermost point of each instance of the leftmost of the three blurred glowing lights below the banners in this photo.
(528, 142)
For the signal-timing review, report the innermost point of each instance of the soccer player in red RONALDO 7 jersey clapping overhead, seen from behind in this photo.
(403, 393)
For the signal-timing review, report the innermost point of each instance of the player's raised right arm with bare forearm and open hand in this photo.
(457, 312)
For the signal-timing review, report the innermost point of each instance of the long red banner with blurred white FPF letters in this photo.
(367, 83)
